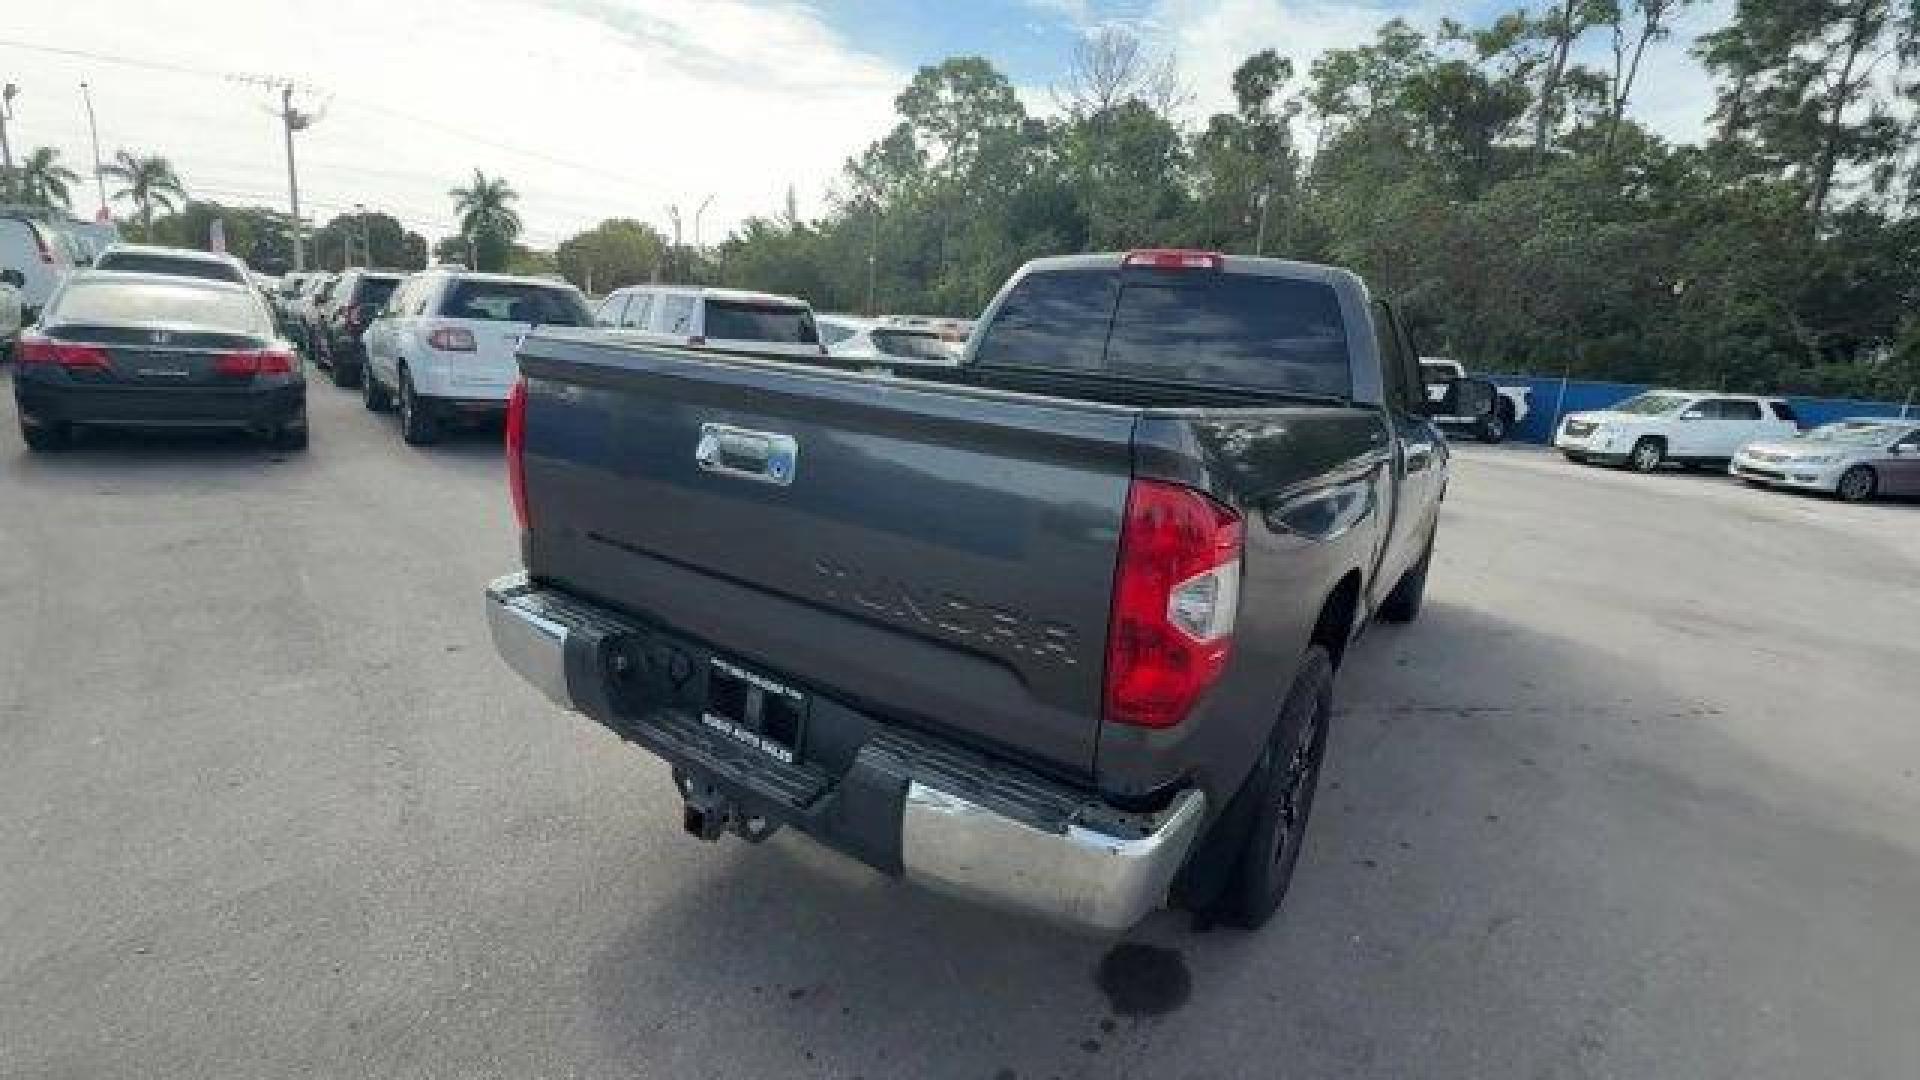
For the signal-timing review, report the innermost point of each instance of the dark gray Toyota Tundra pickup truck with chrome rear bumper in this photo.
(1053, 629)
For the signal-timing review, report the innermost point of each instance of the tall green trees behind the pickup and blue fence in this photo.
(1493, 180)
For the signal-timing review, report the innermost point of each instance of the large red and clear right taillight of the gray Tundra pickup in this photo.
(1176, 597)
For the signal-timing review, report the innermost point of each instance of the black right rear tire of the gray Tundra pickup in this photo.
(1280, 798)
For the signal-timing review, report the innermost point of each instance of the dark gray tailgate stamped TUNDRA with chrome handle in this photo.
(932, 554)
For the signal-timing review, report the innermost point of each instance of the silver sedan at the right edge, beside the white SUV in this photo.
(1856, 460)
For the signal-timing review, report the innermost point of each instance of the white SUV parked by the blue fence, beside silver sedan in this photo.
(1652, 430)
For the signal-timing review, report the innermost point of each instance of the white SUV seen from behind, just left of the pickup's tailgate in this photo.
(444, 345)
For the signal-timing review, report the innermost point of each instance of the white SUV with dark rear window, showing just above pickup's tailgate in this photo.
(717, 320)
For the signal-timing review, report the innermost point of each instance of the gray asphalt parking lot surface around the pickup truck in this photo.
(1639, 797)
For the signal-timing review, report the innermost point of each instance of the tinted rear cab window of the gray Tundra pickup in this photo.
(1191, 326)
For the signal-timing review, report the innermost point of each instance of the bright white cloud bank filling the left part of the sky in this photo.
(590, 109)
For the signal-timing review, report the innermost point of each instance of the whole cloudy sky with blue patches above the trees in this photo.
(612, 109)
